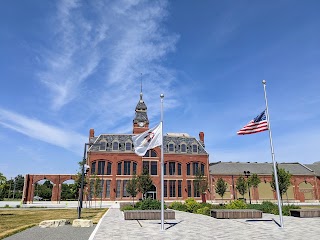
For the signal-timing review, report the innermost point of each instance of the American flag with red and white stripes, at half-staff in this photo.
(259, 124)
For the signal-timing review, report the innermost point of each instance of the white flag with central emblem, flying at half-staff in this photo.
(147, 140)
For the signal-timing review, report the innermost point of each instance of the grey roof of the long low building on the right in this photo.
(237, 168)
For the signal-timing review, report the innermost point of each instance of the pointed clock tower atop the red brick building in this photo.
(140, 122)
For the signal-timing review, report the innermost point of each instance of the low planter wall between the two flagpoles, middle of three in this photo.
(236, 213)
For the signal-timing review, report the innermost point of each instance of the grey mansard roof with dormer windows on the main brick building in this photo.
(176, 139)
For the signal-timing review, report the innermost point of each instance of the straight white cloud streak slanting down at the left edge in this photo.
(41, 131)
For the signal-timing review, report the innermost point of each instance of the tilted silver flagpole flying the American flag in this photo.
(272, 154)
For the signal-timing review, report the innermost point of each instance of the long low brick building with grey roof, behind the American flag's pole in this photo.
(305, 181)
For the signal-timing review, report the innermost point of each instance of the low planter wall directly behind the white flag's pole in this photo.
(148, 214)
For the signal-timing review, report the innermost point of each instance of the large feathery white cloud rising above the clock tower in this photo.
(123, 39)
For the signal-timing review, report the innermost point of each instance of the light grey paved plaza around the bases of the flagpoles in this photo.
(194, 226)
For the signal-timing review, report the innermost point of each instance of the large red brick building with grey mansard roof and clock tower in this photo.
(115, 162)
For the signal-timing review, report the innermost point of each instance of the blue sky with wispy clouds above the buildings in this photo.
(68, 66)
